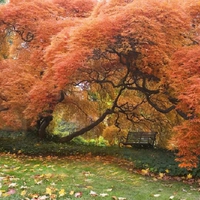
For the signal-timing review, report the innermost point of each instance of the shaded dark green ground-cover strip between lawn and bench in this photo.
(156, 160)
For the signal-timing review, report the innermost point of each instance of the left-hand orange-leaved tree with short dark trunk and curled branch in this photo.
(25, 67)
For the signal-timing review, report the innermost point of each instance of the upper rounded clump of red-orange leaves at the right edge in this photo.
(185, 69)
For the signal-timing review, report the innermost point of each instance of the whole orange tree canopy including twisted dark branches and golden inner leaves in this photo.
(125, 63)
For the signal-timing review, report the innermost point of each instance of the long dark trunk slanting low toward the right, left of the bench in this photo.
(87, 128)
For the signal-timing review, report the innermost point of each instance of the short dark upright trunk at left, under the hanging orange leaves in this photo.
(42, 125)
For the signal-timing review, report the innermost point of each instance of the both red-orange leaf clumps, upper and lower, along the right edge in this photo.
(184, 76)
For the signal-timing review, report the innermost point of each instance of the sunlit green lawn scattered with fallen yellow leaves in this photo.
(24, 177)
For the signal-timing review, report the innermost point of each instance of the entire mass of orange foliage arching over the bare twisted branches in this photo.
(53, 38)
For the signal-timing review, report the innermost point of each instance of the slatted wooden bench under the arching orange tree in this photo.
(139, 139)
